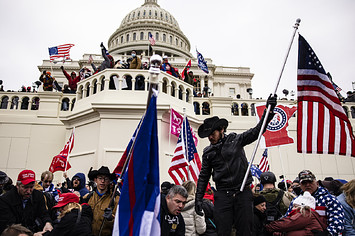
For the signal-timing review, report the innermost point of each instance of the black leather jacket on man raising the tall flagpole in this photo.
(226, 161)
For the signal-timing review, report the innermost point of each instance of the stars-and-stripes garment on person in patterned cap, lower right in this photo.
(329, 207)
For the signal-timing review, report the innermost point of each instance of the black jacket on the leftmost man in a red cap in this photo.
(12, 211)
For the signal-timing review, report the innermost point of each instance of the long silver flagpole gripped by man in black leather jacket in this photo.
(269, 108)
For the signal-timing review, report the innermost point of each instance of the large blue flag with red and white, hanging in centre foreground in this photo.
(138, 209)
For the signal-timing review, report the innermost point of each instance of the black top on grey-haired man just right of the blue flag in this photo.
(171, 225)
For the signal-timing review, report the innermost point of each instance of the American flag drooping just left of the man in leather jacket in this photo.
(186, 164)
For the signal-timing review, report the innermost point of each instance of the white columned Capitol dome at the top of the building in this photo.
(149, 18)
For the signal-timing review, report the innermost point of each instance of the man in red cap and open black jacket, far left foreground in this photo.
(24, 205)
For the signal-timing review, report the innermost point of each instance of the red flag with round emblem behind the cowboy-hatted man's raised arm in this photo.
(277, 130)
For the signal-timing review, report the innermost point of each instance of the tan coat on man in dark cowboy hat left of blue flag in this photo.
(98, 205)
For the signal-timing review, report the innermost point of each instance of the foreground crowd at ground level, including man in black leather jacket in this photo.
(304, 206)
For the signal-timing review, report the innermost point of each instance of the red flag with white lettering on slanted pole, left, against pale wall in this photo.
(60, 161)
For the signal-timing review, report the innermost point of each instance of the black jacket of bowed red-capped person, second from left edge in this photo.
(67, 225)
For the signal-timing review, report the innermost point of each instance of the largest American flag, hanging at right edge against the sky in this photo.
(322, 125)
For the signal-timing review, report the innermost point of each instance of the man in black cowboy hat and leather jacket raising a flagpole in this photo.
(225, 160)
